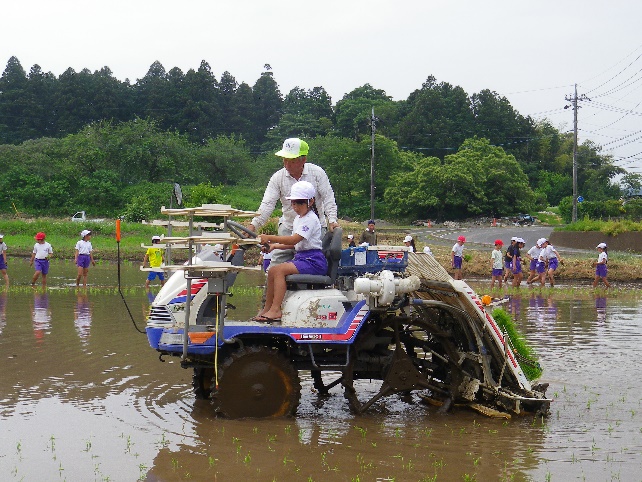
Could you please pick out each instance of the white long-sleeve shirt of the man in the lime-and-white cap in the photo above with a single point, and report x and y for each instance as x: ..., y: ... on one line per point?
x: 279, y: 186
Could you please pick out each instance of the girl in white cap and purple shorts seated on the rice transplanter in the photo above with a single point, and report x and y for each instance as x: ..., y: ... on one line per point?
x: 305, y: 240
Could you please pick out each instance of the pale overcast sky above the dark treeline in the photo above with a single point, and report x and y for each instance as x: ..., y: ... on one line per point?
x: 531, y: 52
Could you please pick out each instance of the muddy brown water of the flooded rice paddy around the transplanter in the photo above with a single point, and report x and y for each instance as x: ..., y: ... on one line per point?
x: 83, y: 397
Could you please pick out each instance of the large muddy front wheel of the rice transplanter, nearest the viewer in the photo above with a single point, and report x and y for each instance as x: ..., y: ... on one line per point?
x: 257, y: 382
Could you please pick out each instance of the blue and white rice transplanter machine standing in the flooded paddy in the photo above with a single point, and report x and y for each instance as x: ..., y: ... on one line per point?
x: 380, y: 314
